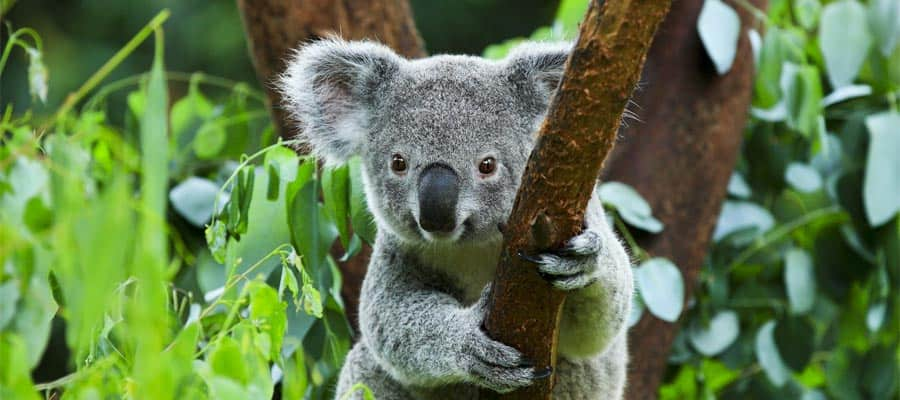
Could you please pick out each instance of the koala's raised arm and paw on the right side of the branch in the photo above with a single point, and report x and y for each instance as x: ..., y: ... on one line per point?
x: 595, y: 268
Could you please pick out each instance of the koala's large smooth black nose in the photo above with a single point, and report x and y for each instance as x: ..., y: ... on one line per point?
x: 438, y: 192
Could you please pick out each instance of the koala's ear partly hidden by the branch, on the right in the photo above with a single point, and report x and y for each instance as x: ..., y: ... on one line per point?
x: 538, y: 67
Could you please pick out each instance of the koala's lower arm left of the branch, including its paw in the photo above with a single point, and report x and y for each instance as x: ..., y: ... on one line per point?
x: 424, y: 337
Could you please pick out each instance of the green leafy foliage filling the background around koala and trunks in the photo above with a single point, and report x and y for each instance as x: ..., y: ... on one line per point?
x: 196, y: 264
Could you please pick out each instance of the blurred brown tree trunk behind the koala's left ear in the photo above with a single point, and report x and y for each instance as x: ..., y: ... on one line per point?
x: 275, y: 27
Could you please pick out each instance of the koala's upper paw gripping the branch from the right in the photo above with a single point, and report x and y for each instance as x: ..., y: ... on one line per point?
x: 572, y: 267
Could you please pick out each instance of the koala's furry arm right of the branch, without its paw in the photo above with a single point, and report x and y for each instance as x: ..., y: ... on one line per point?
x: 595, y: 315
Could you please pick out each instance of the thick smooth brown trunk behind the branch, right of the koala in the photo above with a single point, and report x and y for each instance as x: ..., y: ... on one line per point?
x: 680, y: 158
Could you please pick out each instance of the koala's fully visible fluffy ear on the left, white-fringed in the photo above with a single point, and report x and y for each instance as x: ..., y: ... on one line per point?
x: 330, y: 88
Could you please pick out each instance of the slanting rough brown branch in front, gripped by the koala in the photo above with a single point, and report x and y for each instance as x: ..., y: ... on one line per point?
x: 575, y: 138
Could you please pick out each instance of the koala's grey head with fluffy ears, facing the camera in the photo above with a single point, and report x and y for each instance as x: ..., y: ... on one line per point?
x: 443, y: 140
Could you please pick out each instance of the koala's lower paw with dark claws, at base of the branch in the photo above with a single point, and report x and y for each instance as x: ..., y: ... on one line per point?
x: 496, y: 366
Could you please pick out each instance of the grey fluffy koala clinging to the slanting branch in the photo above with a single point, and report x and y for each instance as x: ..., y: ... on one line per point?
x: 443, y: 143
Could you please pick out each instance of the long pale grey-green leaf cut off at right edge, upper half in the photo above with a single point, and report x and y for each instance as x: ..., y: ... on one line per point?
x: 882, y: 179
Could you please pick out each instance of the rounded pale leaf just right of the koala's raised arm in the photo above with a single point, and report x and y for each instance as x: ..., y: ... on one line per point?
x: 661, y: 288
